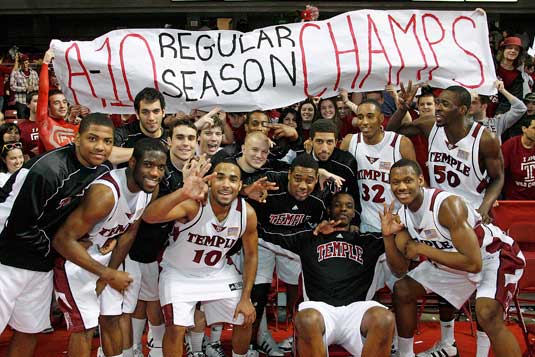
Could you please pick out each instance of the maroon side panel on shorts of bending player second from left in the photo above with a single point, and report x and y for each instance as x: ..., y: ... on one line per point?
x: 72, y: 314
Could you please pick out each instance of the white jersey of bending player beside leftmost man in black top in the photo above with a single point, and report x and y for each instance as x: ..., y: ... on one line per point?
x: 128, y: 208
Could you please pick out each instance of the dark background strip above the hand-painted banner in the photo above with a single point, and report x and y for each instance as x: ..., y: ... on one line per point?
x: 30, y: 24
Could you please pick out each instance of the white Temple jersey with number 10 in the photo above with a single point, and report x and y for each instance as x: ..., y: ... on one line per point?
x: 199, y: 247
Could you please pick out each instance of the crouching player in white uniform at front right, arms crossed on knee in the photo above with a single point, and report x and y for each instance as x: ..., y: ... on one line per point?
x: 463, y: 255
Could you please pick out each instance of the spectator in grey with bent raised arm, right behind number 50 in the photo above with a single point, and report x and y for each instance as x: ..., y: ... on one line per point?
x: 501, y: 122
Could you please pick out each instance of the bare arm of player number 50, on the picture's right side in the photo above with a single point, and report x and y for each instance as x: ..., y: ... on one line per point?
x: 490, y: 152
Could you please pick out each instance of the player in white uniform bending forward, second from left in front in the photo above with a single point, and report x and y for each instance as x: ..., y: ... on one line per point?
x: 106, y: 220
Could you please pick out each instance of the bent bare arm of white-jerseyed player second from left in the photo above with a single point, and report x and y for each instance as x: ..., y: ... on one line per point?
x: 94, y: 207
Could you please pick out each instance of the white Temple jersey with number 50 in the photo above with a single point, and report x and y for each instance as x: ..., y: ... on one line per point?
x: 455, y: 167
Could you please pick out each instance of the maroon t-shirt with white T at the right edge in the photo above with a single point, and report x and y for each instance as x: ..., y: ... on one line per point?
x: 519, y: 168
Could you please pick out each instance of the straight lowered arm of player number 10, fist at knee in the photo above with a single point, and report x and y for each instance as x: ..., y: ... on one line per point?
x: 250, y: 259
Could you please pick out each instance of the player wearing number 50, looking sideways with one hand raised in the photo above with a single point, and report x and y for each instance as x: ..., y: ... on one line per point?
x: 464, y: 158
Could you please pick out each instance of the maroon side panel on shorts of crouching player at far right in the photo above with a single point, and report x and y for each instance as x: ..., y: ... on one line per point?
x: 509, y: 263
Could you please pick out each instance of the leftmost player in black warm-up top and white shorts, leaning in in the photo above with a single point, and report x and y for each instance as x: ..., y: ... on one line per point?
x: 33, y: 203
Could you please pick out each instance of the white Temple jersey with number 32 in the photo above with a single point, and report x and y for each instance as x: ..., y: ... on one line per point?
x: 374, y: 163
